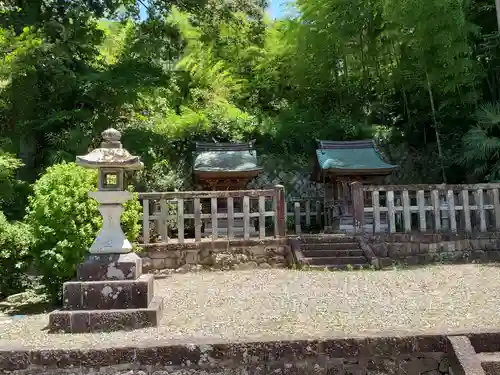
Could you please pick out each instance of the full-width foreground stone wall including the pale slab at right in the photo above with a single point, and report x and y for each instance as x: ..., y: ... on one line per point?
x: 411, y: 355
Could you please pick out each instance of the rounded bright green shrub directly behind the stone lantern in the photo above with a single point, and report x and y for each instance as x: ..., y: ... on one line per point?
x: 66, y: 221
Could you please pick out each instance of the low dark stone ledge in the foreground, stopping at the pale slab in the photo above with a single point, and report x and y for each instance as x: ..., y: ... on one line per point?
x: 209, y: 354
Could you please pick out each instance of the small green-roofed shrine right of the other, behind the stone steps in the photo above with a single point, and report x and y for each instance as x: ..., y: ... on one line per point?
x: 339, y: 163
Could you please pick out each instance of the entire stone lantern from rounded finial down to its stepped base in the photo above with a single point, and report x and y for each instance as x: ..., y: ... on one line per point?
x: 110, y: 293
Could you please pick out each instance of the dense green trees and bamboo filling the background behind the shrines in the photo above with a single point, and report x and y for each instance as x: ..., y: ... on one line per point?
x: 218, y: 69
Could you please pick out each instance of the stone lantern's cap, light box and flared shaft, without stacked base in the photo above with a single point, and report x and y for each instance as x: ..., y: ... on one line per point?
x: 112, y: 162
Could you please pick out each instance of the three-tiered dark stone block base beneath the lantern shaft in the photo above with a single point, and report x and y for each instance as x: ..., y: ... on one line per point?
x: 110, y: 294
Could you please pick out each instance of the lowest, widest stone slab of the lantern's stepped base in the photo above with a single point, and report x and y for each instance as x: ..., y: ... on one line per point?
x: 86, y: 321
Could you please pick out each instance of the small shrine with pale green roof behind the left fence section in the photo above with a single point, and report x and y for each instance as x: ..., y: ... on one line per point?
x: 224, y: 166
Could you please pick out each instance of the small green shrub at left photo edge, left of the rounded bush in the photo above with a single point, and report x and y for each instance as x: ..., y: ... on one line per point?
x: 15, y: 242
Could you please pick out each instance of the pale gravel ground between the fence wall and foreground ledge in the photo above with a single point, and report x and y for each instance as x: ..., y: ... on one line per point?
x: 248, y: 305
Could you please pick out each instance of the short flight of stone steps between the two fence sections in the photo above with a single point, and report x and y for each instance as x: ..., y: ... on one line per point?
x: 334, y: 252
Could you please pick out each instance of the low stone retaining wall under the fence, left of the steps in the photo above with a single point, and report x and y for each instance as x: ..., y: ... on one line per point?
x: 218, y: 255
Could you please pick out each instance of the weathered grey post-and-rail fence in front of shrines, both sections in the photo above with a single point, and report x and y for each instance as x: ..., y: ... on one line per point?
x: 437, y: 207
